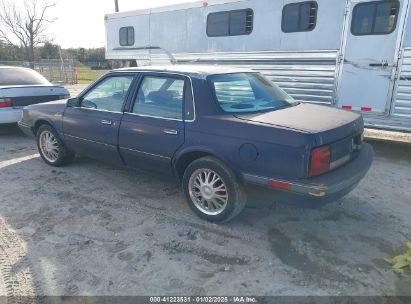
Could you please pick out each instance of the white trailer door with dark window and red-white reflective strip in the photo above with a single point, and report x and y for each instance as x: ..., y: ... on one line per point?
x: 372, y: 40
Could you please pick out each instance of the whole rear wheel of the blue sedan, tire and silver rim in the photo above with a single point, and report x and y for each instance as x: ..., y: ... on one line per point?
x: 212, y: 190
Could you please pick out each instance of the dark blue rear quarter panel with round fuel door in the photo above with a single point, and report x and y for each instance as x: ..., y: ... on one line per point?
x: 250, y: 148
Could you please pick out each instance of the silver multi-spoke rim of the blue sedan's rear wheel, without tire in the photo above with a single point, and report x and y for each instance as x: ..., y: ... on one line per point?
x: 208, y: 191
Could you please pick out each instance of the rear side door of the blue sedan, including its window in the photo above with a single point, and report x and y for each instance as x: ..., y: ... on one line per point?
x: 153, y: 127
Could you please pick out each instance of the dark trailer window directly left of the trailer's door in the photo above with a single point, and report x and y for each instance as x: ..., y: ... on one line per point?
x: 299, y: 17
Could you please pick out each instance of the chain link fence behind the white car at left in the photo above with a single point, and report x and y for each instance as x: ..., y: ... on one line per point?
x: 55, y: 70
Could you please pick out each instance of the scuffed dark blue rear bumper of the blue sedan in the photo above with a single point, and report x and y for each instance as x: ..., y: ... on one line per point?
x: 319, y: 190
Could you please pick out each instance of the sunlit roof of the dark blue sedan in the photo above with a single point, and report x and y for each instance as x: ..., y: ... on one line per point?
x: 196, y: 71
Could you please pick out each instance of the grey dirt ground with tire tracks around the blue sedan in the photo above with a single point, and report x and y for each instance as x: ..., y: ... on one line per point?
x: 93, y: 229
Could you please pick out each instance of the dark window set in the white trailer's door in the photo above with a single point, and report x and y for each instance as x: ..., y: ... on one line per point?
x: 375, y: 18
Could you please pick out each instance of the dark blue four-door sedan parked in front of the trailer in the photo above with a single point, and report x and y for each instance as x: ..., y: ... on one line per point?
x: 220, y: 131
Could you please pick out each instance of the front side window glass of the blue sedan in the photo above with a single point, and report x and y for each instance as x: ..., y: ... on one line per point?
x: 109, y: 95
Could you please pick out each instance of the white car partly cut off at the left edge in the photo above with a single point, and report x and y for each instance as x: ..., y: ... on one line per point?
x: 20, y: 87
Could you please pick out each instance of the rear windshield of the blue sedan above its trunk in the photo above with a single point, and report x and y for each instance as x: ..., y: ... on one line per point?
x: 248, y: 92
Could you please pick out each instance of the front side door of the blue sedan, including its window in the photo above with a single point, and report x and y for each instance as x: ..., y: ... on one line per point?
x: 91, y: 127
